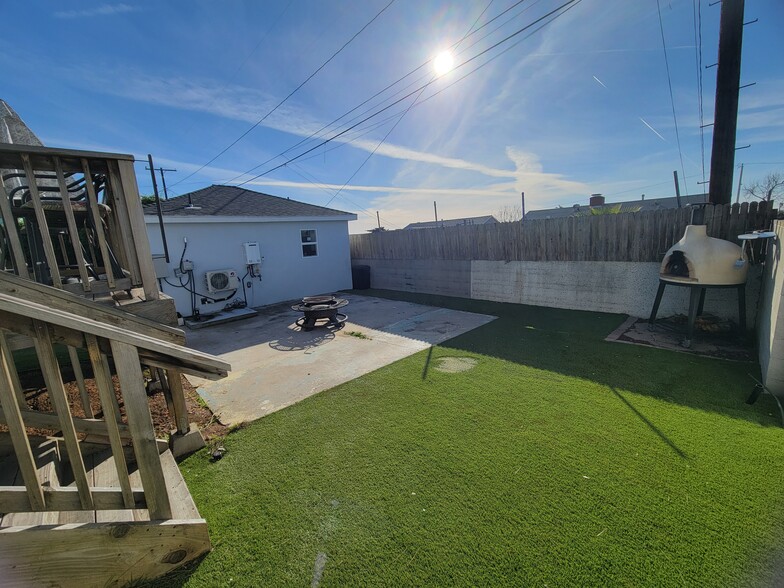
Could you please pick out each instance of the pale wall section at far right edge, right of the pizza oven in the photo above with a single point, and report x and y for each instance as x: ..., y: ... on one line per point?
x: 771, y: 316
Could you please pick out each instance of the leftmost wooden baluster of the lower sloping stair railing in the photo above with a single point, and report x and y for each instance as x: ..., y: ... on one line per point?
x: 9, y: 393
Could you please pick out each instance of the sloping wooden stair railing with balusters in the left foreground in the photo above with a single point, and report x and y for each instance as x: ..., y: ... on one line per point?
x: 129, y: 351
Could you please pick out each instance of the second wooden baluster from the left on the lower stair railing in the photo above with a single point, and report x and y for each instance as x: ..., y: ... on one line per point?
x: 54, y: 384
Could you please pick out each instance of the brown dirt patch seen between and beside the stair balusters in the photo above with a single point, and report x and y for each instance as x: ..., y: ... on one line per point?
x: 38, y: 399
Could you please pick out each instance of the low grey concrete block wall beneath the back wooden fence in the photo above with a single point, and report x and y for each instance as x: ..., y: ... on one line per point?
x: 601, y: 286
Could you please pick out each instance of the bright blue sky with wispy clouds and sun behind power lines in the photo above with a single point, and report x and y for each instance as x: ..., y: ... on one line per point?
x: 578, y: 107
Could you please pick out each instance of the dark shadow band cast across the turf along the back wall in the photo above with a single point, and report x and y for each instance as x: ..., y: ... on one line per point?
x: 571, y: 343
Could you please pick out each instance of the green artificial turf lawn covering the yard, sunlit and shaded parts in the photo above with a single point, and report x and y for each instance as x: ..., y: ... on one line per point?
x: 559, y: 460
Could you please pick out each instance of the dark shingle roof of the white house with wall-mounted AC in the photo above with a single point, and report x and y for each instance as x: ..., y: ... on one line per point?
x: 232, y: 201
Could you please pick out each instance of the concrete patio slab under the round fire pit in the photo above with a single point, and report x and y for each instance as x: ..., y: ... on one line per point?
x: 275, y: 364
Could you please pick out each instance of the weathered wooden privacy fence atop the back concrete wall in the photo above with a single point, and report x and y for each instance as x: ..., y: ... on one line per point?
x: 641, y: 236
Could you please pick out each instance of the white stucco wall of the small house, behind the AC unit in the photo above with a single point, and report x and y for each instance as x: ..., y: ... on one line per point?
x: 285, y: 273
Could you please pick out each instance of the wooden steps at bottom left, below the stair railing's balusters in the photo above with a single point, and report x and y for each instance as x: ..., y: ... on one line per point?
x: 100, y: 547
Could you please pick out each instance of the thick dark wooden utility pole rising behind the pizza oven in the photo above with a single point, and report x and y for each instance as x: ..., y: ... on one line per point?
x: 726, y: 110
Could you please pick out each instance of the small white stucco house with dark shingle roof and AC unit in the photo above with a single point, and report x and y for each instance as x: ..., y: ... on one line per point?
x: 228, y: 244
